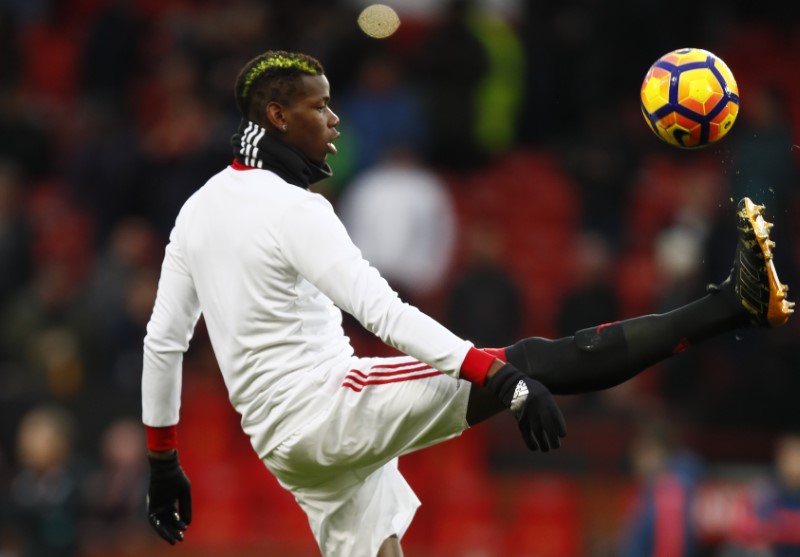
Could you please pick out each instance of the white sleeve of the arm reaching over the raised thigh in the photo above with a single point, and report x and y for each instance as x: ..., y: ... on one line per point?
x: 316, y: 243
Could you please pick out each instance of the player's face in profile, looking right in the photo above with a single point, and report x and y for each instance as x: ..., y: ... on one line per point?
x: 310, y: 123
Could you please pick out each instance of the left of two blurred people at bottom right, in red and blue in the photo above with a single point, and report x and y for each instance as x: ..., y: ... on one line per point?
x: 660, y: 523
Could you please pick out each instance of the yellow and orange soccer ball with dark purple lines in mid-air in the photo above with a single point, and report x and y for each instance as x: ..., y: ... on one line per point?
x: 689, y: 98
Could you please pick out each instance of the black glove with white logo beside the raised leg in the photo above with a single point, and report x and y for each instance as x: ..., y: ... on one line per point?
x: 538, y: 416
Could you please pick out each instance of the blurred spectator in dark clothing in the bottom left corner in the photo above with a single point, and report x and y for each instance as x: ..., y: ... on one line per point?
x: 45, y: 494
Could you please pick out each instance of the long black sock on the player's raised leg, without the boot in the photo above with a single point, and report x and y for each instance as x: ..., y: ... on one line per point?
x: 607, y: 355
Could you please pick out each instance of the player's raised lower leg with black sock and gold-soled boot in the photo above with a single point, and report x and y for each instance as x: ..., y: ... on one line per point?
x: 607, y: 355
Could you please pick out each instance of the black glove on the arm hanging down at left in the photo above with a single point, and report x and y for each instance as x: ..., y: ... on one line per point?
x: 169, y: 486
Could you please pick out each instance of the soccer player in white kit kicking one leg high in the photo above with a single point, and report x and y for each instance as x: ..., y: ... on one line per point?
x: 270, y: 266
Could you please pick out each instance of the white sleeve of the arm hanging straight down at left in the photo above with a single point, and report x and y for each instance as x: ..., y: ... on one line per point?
x: 169, y: 331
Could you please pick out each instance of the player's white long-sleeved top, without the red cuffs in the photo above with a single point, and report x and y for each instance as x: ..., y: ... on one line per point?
x: 267, y: 263
